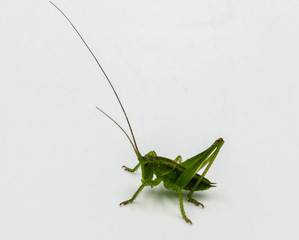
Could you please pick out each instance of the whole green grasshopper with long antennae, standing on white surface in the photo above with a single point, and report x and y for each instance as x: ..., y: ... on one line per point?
x: 175, y: 174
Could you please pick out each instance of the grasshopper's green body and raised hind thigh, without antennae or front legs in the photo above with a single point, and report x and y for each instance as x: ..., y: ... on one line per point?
x: 180, y: 176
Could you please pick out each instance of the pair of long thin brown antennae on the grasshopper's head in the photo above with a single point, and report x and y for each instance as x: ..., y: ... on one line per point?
x: 135, y: 144
